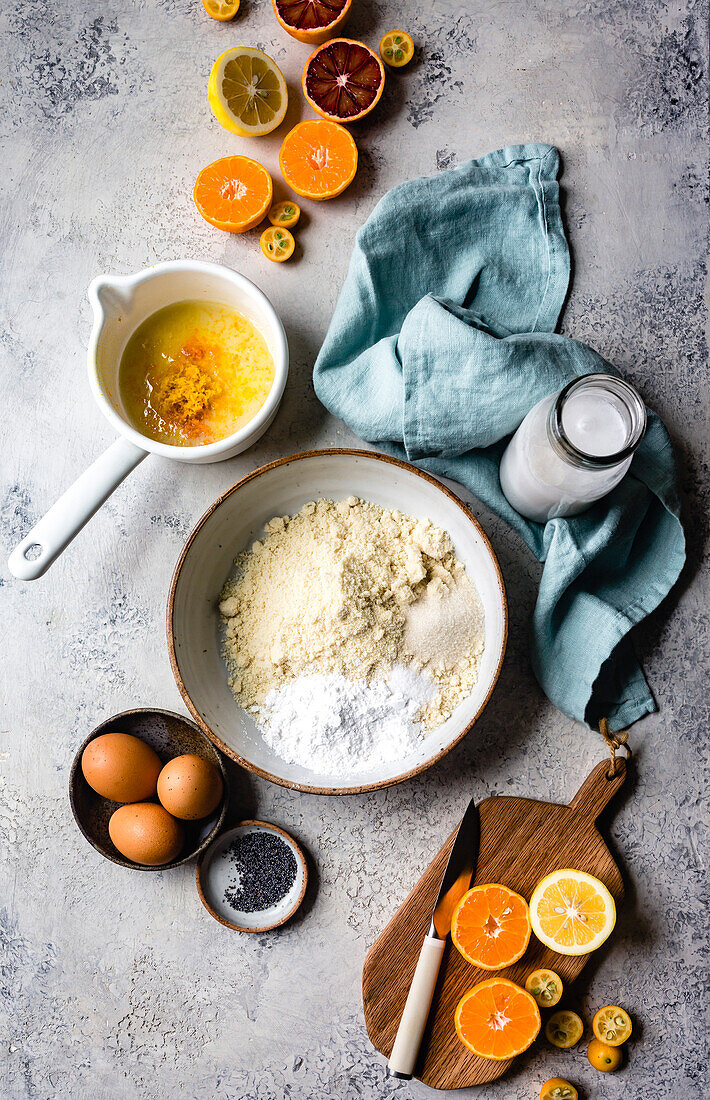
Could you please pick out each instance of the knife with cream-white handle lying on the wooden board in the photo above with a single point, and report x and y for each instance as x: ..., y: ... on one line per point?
x: 457, y: 879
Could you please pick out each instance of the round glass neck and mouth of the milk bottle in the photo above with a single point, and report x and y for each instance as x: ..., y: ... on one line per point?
x: 611, y: 398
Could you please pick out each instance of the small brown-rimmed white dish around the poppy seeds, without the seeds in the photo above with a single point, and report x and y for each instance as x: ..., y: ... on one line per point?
x: 216, y: 874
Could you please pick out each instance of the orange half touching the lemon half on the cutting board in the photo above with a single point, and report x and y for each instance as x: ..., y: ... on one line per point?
x: 491, y: 927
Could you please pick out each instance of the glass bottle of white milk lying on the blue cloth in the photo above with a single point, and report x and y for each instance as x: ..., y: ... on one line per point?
x: 573, y: 447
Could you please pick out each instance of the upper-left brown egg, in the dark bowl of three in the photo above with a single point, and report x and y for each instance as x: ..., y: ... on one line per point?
x: 122, y: 767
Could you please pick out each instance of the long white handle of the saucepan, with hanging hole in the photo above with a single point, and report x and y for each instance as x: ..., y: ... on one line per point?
x: 65, y: 520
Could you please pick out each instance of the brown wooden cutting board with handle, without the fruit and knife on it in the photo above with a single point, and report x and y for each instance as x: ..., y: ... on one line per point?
x: 521, y: 842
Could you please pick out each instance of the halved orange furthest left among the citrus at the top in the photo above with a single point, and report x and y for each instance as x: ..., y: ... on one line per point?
x: 234, y: 194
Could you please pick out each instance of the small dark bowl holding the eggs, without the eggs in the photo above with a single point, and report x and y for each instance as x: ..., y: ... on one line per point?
x: 171, y: 735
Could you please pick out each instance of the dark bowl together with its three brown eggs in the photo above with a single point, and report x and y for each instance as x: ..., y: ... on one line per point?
x: 149, y: 790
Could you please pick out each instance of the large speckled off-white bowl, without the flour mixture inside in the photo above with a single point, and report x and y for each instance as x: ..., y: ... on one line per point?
x: 235, y: 521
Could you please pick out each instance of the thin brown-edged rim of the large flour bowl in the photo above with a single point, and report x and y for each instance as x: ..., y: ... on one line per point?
x: 222, y: 746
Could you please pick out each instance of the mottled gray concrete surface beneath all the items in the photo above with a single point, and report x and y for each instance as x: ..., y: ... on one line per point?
x: 119, y: 985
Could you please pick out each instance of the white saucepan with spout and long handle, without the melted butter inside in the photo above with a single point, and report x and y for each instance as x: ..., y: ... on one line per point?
x: 121, y: 304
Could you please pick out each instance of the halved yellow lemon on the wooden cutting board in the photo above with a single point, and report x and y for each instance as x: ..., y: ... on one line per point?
x: 573, y: 912
